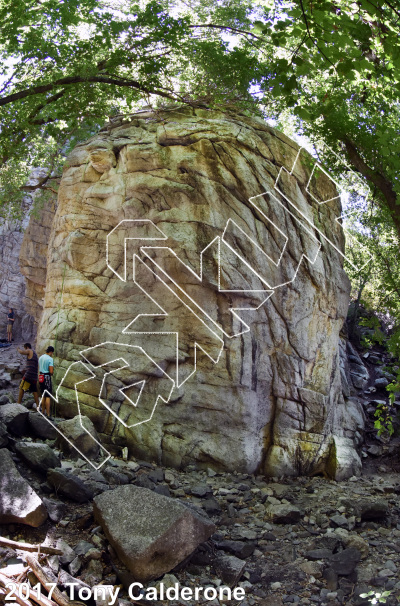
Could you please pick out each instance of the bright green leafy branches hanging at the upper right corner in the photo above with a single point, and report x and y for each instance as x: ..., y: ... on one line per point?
x: 339, y: 72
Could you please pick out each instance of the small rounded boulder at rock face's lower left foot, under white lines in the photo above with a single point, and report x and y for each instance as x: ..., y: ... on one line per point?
x: 81, y: 433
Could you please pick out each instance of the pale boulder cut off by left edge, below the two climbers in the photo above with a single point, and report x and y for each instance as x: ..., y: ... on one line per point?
x: 19, y: 503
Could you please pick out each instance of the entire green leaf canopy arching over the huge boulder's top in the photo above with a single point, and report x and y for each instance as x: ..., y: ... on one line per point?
x: 334, y: 64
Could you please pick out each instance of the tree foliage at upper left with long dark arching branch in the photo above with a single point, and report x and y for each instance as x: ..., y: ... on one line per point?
x: 66, y: 66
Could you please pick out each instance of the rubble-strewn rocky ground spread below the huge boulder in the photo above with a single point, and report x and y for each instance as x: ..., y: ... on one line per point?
x: 302, y: 541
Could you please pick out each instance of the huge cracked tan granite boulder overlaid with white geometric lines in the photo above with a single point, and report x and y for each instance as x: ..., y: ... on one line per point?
x: 250, y: 390
